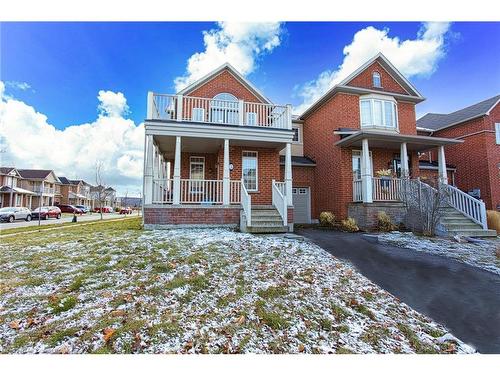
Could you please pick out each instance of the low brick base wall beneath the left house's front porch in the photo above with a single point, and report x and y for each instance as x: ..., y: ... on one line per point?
x: 191, y: 215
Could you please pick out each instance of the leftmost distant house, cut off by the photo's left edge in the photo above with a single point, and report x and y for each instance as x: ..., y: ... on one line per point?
x: 12, y: 194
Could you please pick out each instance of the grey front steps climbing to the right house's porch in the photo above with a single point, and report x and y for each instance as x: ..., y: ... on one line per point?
x: 455, y: 223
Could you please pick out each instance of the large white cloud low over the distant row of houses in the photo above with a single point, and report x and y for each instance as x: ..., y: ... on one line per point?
x: 30, y: 141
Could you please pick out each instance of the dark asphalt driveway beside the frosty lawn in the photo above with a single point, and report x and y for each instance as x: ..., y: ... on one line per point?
x: 463, y: 298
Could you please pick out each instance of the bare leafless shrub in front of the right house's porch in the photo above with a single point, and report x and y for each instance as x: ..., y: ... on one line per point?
x: 424, y: 204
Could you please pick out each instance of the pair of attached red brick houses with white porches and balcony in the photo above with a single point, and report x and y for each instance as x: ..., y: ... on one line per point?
x: 219, y: 152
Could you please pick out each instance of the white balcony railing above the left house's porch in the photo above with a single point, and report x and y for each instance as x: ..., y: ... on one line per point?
x: 214, y: 111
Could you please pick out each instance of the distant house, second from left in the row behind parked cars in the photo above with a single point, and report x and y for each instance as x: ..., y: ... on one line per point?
x: 43, y: 183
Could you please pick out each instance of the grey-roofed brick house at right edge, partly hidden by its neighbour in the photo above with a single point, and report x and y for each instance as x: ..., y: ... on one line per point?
x: 477, y: 159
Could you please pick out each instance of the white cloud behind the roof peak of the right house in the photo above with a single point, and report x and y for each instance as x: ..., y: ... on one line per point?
x: 412, y: 57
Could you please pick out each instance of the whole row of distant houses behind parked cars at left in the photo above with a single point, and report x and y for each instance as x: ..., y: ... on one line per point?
x: 42, y: 187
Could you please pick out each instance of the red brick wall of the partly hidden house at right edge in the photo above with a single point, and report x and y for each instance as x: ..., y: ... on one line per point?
x: 478, y: 158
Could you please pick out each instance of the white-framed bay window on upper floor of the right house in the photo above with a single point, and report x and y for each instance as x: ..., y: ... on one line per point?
x: 378, y: 113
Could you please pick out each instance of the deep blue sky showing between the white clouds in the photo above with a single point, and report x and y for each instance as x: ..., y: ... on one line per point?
x: 66, y: 64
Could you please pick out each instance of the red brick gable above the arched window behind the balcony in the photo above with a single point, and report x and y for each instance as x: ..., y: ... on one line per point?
x: 224, y: 82
